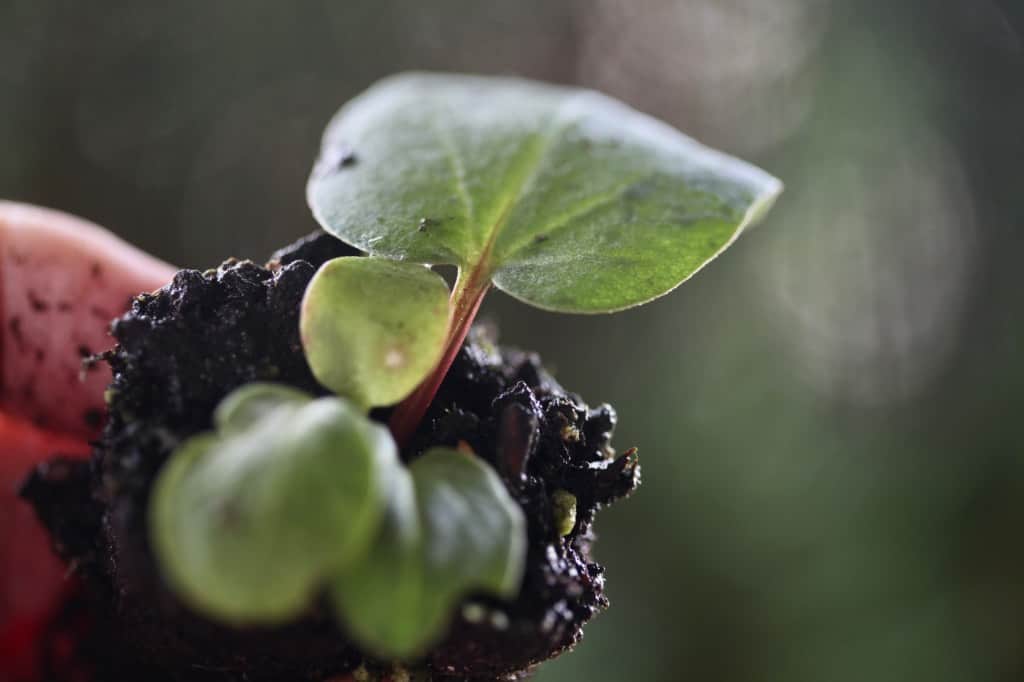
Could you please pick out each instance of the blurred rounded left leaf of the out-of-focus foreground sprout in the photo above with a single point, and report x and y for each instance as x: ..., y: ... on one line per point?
x: 249, y: 523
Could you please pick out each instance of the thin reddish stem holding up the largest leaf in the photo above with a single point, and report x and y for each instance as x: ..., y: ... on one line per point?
x: 466, y: 299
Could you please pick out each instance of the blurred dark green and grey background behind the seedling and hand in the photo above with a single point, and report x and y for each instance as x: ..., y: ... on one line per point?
x: 828, y: 416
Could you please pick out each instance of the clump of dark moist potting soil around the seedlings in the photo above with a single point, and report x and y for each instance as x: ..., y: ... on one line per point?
x: 183, y: 350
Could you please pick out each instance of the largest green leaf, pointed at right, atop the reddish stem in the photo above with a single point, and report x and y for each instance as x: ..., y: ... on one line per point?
x: 568, y: 199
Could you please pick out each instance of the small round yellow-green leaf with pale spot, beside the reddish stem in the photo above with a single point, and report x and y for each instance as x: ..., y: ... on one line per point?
x: 372, y: 329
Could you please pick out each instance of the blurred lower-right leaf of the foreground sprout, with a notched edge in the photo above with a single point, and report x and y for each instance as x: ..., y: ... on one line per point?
x: 451, y: 529
